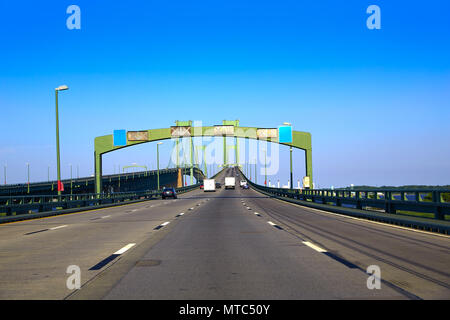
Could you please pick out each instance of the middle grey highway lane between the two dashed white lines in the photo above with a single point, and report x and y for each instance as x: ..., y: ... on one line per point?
x: 226, y: 251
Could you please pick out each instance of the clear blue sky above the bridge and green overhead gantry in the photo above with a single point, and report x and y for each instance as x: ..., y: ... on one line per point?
x: 375, y: 101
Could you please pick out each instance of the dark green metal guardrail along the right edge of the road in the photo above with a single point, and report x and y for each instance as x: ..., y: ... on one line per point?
x: 365, y: 203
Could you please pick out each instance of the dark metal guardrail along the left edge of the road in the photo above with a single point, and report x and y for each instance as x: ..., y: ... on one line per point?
x: 23, y: 205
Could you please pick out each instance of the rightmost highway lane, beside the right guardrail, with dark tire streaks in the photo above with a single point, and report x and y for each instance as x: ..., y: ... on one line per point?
x: 411, y: 260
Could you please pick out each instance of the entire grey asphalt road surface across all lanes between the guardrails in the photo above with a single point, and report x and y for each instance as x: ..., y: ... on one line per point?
x: 228, y: 244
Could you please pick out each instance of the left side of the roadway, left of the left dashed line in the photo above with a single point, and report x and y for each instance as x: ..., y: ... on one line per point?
x: 35, y: 254
